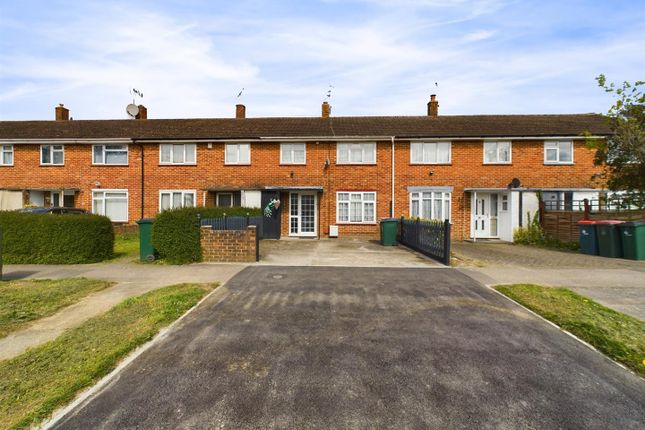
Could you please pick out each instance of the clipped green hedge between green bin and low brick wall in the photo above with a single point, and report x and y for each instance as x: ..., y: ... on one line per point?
x: 175, y: 233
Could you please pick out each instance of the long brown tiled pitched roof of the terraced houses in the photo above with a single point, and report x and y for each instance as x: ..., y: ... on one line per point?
x: 251, y: 128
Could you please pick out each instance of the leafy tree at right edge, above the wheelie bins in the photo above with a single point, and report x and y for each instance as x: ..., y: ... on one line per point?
x: 622, y: 155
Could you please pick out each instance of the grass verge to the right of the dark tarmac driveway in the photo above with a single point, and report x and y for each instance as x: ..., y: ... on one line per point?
x: 619, y: 336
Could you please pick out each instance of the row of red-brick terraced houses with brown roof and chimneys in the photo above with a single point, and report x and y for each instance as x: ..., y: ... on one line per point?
x: 330, y: 175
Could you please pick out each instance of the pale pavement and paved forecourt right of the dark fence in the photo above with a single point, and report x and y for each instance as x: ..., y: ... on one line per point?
x: 615, y: 283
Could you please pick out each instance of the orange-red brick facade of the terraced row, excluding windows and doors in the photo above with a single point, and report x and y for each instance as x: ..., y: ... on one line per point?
x: 466, y: 170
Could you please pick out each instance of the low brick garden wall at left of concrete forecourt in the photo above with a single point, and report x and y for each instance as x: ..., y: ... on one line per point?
x: 238, y: 246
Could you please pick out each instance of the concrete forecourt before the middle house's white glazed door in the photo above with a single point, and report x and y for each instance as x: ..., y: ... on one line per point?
x: 339, y: 252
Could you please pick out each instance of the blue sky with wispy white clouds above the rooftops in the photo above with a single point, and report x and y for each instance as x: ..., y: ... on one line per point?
x: 382, y: 57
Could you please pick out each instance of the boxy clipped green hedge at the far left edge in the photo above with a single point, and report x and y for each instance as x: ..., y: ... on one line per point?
x: 55, y: 239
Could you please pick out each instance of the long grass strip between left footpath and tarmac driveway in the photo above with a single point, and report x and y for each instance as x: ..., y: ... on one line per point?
x: 36, y: 383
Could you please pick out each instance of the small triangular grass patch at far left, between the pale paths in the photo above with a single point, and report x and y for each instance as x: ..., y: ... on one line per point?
x: 22, y: 302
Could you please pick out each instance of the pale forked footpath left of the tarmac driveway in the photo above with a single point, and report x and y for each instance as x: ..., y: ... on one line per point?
x: 132, y: 280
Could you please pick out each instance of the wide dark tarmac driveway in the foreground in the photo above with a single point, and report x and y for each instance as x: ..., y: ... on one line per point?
x: 299, y: 347
